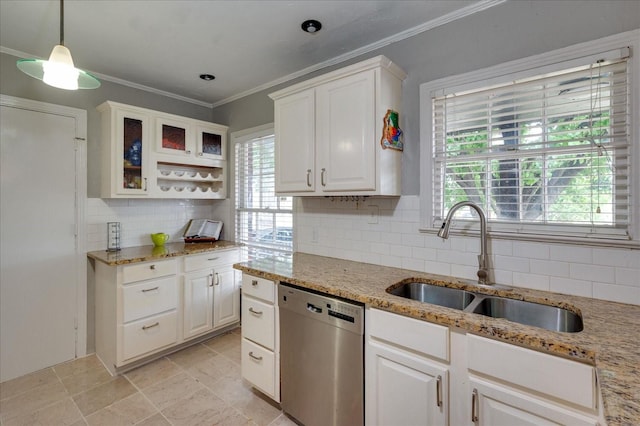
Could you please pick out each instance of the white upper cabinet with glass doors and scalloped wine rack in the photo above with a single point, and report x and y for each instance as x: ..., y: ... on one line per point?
x: 157, y: 155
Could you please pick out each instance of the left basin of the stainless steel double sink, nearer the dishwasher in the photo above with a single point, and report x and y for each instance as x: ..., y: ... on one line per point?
x: 436, y: 295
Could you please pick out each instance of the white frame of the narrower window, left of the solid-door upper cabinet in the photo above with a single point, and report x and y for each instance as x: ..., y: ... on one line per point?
x: 242, y: 136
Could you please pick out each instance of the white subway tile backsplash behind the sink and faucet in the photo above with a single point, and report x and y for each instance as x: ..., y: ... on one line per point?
x: 385, y: 231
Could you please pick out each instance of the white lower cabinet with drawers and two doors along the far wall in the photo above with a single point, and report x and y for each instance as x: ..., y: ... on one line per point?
x: 145, y: 309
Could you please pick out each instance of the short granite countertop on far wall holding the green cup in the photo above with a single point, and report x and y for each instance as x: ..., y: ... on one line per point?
x: 146, y: 253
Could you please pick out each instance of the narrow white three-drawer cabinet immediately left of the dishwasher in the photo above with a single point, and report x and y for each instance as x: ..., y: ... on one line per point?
x: 260, y: 335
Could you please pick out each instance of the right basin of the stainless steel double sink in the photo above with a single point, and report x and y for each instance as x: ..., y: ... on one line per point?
x: 529, y: 313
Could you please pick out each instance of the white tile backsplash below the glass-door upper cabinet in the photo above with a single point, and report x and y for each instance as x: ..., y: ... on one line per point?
x: 141, y: 217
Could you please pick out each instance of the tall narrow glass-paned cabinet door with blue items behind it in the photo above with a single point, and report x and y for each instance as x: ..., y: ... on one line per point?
x: 132, y: 153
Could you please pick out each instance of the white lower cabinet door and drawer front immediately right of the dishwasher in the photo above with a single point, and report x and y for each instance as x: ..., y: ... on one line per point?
x: 406, y: 382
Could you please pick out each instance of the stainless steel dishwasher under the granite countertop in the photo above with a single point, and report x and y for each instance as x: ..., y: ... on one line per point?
x: 321, y: 358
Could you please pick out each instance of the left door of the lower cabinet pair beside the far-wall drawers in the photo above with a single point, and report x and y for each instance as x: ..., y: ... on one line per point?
x: 198, y: 303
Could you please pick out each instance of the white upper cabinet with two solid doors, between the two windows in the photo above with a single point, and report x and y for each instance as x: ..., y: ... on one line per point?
x: 329, y: 131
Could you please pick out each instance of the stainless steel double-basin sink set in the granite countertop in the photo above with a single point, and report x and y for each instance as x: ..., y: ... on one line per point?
x: 528, y: 313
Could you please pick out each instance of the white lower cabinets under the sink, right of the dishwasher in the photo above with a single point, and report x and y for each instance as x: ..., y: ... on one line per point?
x: 422, y: 373
